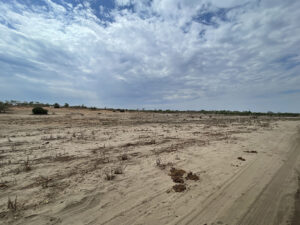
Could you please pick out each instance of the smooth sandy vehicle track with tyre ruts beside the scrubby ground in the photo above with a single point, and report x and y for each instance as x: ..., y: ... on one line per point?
x: 258, y: 195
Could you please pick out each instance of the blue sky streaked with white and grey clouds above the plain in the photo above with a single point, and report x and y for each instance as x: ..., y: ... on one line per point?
x: 153, y: 54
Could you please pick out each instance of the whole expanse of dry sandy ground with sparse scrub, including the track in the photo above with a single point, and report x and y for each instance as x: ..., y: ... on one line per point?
x: 77, y: 166
